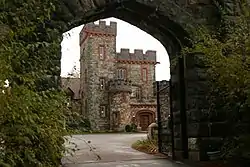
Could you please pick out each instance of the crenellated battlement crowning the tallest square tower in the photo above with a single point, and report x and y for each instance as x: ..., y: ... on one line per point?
x: 102, y: 27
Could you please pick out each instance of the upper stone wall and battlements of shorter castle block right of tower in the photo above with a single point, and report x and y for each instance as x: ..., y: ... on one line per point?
x: 133, y: 63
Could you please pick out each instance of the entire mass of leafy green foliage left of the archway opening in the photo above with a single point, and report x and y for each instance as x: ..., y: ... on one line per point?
x: 32, y: 108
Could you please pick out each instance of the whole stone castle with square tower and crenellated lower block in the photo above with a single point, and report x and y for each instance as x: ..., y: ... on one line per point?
x: 116, y: 88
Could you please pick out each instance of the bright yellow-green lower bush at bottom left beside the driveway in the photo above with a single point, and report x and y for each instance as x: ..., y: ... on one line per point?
x: 31, y: 128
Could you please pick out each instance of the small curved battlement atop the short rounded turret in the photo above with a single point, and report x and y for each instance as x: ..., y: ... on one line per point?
x: 119, y: 85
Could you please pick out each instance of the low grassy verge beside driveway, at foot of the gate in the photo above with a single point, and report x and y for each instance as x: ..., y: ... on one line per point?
x: 147, y: 146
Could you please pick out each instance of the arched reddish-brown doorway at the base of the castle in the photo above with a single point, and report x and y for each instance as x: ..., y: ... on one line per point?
x: 144, y: 118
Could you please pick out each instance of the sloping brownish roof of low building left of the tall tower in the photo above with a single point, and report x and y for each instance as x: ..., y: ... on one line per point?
x: 72, y: 84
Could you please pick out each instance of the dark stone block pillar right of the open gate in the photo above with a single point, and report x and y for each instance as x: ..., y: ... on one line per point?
x: 202, y: 133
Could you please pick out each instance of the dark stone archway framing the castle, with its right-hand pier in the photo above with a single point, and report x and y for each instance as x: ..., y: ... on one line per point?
x: 168, y: 21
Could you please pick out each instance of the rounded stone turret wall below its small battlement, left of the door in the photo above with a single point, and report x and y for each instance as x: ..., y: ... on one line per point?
x: 120, y: 111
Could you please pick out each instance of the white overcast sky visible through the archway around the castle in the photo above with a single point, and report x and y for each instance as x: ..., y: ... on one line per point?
x: 128, y: 36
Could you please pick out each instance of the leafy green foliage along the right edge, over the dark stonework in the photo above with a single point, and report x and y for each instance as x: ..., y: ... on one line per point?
x: 227, y: 56
